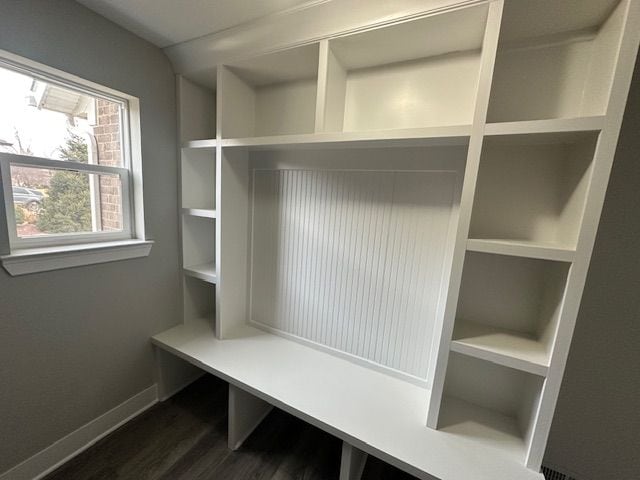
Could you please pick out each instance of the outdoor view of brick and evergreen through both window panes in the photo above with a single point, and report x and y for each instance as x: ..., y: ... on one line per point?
x: 45, y: 120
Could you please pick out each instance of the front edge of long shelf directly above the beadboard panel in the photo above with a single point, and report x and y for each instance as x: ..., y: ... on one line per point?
x: 448, y: 135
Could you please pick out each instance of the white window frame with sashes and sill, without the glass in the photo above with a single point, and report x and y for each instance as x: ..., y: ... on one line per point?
x: 22, y: 256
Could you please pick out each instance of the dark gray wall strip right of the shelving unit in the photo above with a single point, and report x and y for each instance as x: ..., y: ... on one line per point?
x: 596, y: 427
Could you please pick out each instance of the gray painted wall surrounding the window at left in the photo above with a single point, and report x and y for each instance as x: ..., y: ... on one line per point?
x: 75, y: 343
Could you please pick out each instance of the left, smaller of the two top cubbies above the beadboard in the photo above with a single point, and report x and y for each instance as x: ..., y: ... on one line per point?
x: 273, y: 94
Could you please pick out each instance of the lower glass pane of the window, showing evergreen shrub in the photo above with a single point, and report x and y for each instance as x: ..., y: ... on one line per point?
x: 51, y: 201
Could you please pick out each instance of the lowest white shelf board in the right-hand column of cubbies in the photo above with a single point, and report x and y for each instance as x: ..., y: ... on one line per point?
x: 500, y: 346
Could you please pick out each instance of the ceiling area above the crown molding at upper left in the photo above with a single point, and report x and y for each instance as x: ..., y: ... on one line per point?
x: 167, y: 22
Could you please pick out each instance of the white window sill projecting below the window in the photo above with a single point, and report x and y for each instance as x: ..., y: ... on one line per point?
x: 22, y: 262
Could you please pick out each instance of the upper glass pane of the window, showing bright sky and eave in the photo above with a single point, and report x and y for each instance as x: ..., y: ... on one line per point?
x: 46, y: 120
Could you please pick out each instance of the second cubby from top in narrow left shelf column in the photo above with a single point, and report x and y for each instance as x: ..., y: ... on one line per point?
x: 198, y: 179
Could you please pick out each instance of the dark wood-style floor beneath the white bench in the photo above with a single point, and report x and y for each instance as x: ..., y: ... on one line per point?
x: 185, y: 438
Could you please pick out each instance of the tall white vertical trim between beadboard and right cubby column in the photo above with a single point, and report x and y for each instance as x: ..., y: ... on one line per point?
x: 444, y: 331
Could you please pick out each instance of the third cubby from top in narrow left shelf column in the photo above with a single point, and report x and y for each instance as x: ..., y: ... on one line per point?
x: 198, y: 247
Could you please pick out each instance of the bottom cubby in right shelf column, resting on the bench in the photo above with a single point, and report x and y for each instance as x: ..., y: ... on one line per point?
x: 493, y: 404
